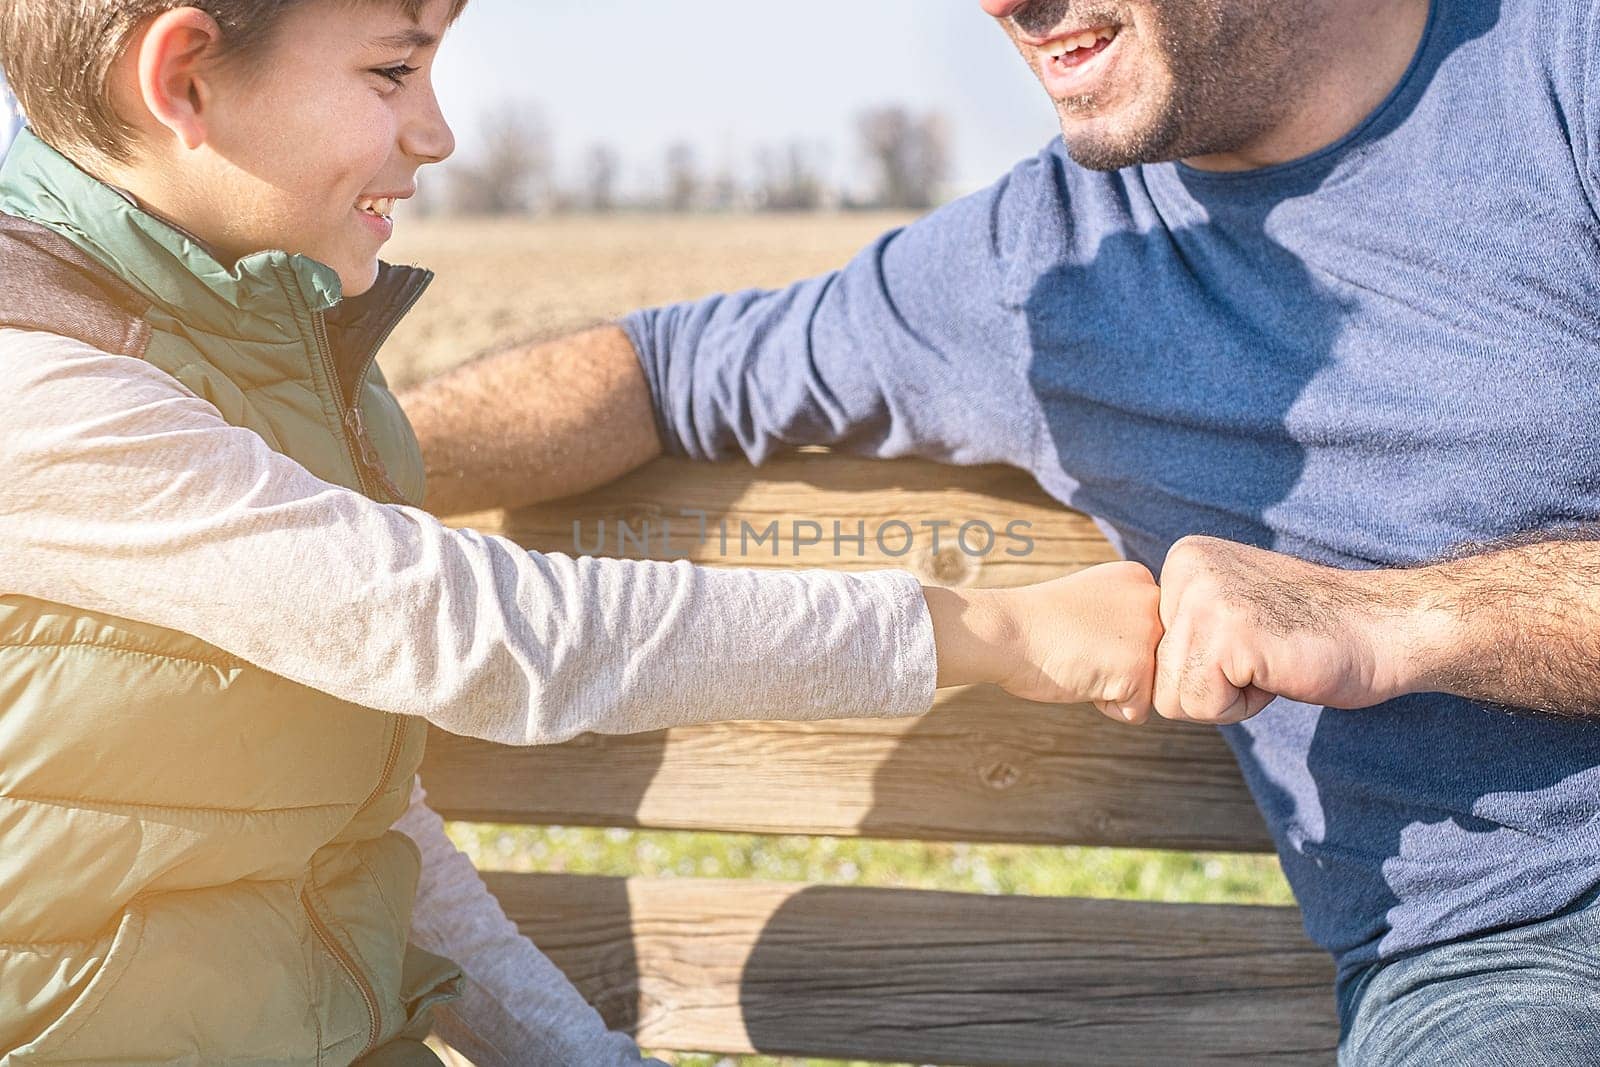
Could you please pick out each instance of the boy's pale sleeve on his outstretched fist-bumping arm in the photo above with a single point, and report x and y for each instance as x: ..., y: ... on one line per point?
x: 129, y: 495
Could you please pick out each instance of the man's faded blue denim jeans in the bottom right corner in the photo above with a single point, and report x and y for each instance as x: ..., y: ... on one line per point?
x: 1521, y: 997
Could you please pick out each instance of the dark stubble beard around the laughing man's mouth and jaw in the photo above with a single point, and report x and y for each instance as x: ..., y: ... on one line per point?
x: 1231, y: 78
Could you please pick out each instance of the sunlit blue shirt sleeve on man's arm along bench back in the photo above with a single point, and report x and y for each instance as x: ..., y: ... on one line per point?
x: 913, y: 350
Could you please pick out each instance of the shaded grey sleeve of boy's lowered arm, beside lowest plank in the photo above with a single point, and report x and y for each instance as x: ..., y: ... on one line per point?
x: 516, y: 1005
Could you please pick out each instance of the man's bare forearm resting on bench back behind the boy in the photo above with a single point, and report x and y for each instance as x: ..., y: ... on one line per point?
x: 534, y: 423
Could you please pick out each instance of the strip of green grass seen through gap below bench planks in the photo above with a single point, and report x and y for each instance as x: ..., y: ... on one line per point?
x: 1004, y: 869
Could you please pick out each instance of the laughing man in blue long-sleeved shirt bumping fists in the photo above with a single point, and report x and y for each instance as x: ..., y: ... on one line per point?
x: 1305, y: 310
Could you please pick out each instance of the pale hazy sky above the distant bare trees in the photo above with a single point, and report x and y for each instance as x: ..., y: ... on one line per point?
x: 730, y: 76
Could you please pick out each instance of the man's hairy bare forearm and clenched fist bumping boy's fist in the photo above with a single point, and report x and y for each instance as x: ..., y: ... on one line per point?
x: 1513, y: 623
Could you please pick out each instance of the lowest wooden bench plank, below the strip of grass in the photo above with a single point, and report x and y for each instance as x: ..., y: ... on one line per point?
x: 934, y: 978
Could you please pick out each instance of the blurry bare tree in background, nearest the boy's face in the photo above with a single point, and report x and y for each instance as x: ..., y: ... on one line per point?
x: 513, y: 172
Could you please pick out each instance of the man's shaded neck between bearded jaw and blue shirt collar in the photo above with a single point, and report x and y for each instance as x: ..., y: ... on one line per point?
x: 1366, y: 50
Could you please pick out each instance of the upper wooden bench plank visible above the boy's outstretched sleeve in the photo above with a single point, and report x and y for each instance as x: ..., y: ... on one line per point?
x: 865, y: 497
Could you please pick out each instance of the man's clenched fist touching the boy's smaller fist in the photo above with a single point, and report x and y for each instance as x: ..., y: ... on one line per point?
x: 1246, y: 626
